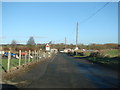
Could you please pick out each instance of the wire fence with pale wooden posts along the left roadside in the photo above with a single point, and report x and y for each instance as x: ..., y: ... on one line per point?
x: 11, y: 61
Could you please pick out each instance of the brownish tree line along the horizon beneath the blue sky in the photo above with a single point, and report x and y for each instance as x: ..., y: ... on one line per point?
x: 31, y: 45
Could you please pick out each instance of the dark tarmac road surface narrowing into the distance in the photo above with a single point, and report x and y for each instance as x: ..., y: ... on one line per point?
x: 63, y: 71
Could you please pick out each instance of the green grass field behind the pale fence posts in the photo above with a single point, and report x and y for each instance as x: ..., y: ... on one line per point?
x: 25, y: 59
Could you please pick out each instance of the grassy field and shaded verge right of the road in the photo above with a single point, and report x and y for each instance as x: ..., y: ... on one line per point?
x: 107, y: 57
